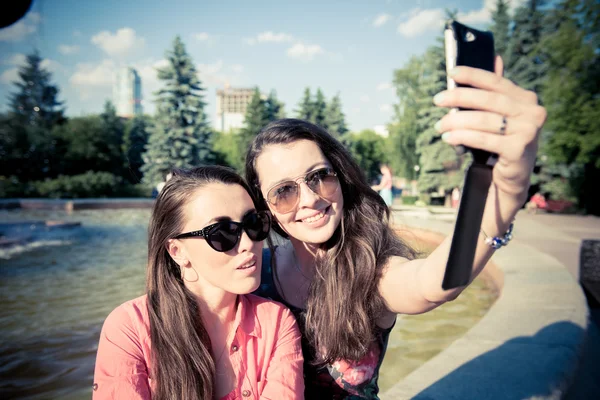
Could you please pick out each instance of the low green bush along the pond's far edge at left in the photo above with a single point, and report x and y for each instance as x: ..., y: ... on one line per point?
x: 89, y: 184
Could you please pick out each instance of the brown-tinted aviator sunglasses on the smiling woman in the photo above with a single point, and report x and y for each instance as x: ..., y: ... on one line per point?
x: 284, y: 196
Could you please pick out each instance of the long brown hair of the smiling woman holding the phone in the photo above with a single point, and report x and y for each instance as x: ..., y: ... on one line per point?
x: 344, y: 300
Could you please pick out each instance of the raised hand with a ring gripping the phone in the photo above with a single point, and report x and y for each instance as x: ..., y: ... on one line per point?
x: 495, y: 102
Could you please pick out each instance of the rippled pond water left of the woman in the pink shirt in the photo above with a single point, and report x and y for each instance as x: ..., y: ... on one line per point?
x: 55, y: 299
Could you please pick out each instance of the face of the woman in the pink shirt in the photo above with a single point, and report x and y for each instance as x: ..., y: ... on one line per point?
x: 235, y: 271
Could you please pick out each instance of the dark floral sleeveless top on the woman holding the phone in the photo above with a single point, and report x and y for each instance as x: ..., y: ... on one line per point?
x: 343, y: 379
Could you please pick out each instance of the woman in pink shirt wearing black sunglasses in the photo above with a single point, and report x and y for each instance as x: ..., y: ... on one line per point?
x: 197, y: 333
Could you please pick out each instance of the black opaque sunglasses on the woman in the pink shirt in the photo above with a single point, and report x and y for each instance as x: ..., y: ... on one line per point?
x: 225, y: 235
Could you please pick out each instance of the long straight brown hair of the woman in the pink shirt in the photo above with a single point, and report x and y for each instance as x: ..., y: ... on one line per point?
x: 182, y: 364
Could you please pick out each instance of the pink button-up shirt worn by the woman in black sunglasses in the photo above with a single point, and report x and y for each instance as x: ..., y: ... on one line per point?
x: 265, y: 353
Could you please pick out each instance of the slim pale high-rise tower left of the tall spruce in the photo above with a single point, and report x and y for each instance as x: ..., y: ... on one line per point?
x: 127, y: 92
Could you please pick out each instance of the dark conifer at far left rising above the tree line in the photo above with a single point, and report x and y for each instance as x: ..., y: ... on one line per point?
x: 36, y: 100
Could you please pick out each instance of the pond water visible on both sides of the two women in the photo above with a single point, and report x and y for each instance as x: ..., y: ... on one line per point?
x: 56, y: 293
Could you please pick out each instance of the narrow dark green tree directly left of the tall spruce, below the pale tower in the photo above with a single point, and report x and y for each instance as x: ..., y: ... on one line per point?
x: 134, y: 142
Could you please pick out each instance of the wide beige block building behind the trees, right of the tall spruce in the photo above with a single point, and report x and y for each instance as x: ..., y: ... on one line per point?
x: 231, y: 107
